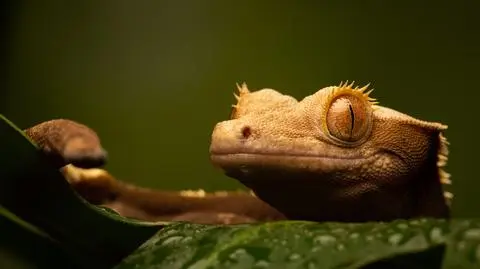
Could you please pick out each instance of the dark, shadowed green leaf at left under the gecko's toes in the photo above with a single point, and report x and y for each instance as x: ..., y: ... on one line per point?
x: 37, y: 193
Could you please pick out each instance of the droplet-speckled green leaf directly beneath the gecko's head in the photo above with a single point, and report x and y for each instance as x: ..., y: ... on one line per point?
x: 293, y: 244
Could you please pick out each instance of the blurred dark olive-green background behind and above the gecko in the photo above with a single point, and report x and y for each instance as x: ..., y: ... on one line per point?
x: 153, y: 77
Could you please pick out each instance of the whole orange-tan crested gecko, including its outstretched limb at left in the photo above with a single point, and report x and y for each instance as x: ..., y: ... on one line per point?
x: 335, y: 155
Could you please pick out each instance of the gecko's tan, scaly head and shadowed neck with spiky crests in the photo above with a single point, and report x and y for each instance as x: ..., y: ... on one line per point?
x: 334, y: 156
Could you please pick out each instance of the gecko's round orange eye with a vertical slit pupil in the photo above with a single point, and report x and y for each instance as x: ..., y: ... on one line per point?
x: 347, y: 118
